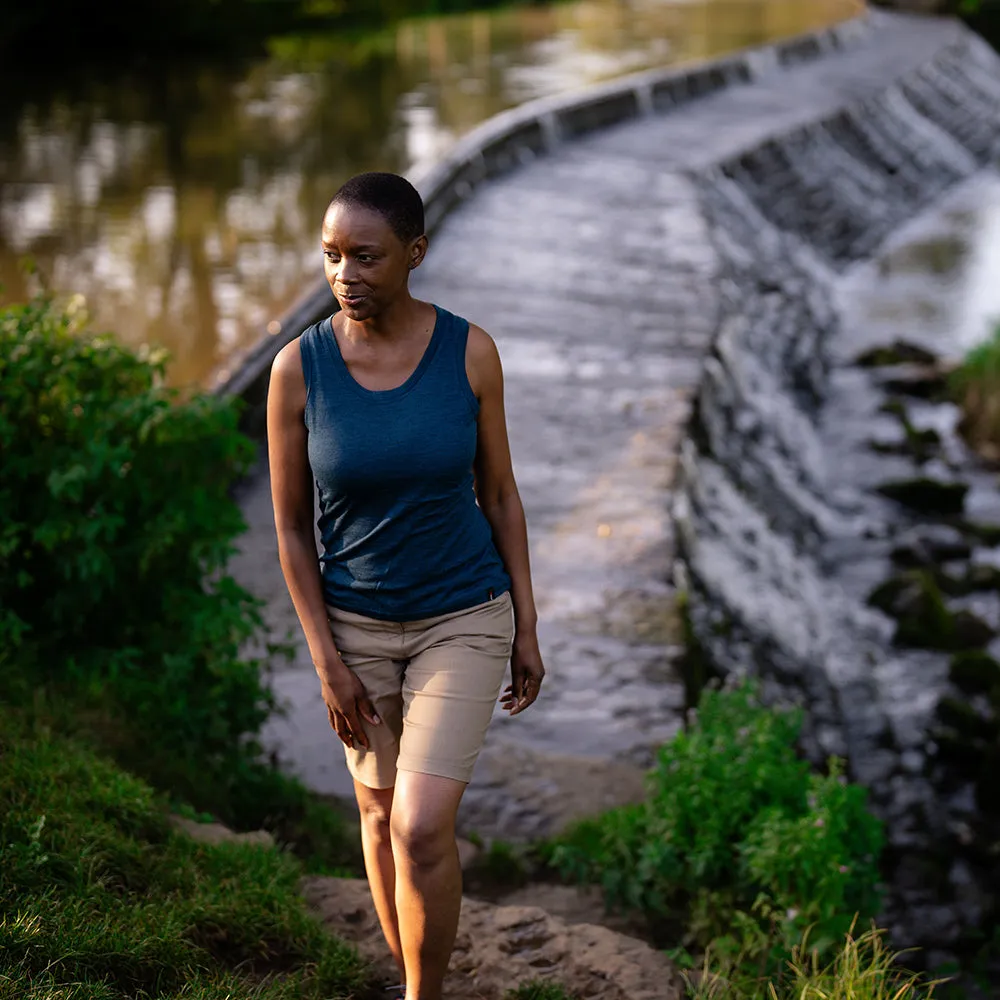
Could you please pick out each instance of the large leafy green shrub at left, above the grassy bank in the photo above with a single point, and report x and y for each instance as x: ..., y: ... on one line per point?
x: 115, y: 526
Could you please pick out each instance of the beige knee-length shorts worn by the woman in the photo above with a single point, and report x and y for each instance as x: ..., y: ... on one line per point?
x: 434, y: 684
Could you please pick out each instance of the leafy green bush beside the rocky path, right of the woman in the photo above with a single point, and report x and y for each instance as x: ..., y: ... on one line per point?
x: 737, y: 839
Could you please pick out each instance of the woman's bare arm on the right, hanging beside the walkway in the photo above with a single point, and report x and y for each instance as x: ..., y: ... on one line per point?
x: 500, y: 502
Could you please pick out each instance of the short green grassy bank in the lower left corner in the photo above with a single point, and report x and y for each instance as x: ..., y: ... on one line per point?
x: 101, y: 899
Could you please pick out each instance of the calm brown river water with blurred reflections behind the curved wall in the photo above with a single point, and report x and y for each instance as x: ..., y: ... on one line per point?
x: 185, y: 204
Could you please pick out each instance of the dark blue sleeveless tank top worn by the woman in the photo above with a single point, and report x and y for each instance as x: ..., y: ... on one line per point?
x: 403, y: 537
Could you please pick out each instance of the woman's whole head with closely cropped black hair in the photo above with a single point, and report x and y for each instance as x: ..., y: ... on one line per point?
x: 373, y: 236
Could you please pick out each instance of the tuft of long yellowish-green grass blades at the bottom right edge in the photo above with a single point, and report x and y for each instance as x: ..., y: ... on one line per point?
x: 861, y: 969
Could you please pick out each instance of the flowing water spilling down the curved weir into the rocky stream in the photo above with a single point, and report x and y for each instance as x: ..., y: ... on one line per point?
x: 783, y: 525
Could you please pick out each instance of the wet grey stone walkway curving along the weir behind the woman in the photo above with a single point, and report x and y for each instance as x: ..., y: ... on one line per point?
x: 595, y: 272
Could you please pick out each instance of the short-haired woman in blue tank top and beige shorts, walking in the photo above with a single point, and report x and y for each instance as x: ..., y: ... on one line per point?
x: 394, y: 408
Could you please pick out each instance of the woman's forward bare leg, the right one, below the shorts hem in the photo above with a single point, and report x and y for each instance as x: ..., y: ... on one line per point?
x: 428, y: 877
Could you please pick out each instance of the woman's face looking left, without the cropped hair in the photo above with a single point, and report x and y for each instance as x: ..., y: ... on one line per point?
x: 366, y: 263
